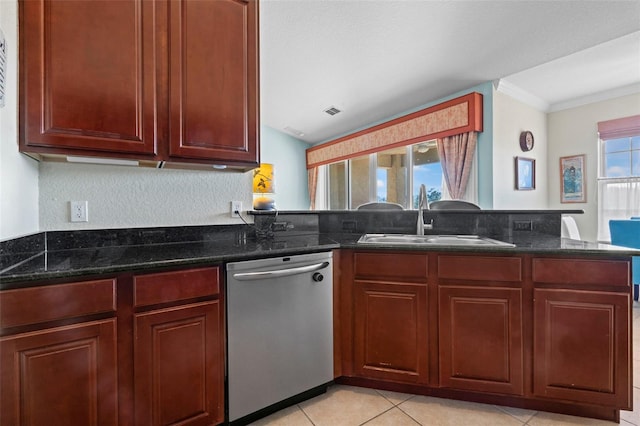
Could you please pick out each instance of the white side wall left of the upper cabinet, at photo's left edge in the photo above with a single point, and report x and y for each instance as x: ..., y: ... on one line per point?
x: 18, y: 174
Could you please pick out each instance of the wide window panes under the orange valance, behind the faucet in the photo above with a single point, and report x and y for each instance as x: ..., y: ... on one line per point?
x: 393, y: 176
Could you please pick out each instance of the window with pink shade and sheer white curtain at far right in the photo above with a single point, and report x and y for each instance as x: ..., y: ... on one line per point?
x: 619, y: 172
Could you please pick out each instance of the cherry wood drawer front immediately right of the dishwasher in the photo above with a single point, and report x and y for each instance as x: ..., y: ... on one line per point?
x: 394, y: 265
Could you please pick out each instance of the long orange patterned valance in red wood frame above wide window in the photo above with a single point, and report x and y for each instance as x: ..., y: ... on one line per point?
x: 453, y: 117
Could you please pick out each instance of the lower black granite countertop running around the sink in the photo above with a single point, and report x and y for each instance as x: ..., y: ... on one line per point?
x: 55, y: 265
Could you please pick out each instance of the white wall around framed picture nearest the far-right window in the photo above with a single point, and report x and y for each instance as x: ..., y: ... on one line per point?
x: 572, y: 132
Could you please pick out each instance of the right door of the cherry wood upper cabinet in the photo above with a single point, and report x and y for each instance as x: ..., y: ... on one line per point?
x: 214, y: 80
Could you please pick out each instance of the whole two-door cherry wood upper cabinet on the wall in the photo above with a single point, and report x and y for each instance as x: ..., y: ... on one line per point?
x: 149, y: 80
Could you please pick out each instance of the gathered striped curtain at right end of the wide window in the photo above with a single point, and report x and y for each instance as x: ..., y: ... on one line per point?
x: 456, y: 157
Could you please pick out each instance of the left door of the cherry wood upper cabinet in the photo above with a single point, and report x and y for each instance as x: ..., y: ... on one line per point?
x: 87, y: 77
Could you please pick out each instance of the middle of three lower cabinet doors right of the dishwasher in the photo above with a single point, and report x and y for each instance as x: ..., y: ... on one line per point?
x: 480, y: 341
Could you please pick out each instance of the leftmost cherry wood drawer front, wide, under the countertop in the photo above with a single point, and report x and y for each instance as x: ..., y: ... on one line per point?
x: 49, y: 303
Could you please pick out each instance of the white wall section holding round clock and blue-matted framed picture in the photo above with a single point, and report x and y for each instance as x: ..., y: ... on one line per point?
x: 510, y: 118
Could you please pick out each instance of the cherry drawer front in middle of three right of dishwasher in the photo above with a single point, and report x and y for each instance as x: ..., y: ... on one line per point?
x: 480, y: 268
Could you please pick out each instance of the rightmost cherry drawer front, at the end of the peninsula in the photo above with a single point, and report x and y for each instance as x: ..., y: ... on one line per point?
x: 581, y: 271
